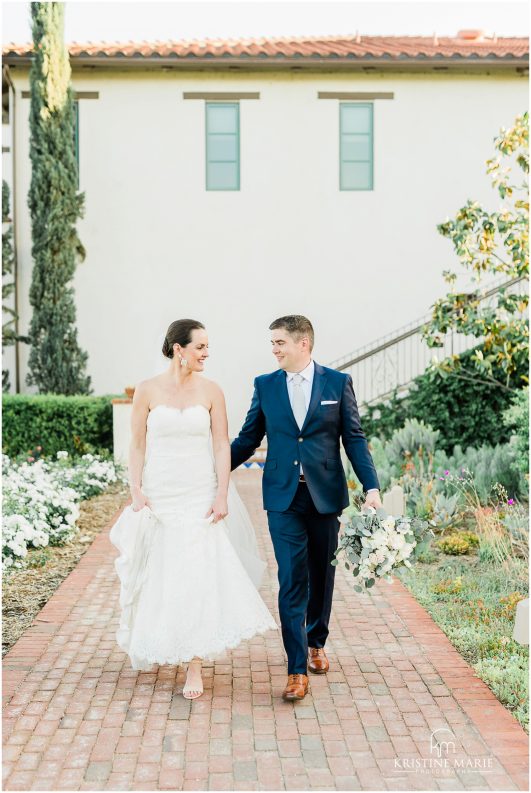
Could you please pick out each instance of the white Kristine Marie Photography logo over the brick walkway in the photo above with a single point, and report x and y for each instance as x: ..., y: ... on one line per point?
x: 443, y: 757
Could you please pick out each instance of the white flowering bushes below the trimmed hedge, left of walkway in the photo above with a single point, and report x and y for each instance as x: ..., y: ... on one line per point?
x: 41, y: 500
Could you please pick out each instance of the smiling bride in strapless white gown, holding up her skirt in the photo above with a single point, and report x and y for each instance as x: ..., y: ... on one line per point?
x: 189, y: 571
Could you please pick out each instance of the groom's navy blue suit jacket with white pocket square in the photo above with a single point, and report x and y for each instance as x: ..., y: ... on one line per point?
x: 315, y: 445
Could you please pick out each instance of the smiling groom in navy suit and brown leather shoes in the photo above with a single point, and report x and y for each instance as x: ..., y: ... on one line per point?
x: 305, y: 409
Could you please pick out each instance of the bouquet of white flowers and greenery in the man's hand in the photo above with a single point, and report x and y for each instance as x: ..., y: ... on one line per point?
x: 374, y: 543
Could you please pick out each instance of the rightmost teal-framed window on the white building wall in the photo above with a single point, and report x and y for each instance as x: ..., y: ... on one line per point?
x: 356, y: 146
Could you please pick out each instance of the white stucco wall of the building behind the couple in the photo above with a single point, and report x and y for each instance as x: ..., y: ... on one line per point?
x: 160, y: 247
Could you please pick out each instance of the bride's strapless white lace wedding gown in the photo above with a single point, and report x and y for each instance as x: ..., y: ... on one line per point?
x: 186, y: 588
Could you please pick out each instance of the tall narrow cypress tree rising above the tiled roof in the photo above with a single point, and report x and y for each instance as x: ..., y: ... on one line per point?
x: 56, y: 362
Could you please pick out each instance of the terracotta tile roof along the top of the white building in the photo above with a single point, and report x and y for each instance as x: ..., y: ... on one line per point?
x: 352, y: 46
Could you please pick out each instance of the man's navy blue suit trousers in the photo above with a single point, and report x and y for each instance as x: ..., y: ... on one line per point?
x: 304, y: 541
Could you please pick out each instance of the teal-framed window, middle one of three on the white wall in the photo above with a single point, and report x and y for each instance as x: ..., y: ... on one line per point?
x: 222, y: 146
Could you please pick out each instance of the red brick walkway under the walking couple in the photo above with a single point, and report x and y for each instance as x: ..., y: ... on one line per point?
x: 76, y: 716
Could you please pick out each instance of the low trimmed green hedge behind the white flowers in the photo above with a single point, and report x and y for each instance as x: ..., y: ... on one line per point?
x: 76, y: 424
